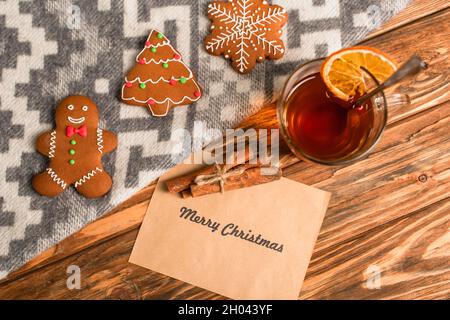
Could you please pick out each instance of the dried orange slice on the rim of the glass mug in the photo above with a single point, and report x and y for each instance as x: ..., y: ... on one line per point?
x: 343, y: 75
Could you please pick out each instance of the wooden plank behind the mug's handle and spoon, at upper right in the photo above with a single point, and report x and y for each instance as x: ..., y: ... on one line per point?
x: 430, y: 38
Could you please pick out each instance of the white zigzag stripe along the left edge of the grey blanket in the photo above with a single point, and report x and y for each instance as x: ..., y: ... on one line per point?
x: 40, y: 47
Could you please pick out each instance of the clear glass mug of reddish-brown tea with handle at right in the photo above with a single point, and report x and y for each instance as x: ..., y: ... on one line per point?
x: 319, y: 130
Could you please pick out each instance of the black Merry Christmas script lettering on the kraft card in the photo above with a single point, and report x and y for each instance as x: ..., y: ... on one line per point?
x: 229, y: 229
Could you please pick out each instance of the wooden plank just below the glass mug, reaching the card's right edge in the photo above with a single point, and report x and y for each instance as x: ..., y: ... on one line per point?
x: 387, y: 185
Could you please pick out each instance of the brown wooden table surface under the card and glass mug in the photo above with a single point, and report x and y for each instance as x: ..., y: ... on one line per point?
x: 391, y: 211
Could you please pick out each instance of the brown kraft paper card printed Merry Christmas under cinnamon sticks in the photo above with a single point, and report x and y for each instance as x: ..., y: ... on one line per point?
x: 252, y: 243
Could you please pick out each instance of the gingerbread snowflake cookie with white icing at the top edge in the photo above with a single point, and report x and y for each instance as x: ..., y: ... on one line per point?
x: 246, y: 31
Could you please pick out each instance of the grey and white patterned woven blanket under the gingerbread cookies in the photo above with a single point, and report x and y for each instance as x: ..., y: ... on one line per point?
x: 53, y: 48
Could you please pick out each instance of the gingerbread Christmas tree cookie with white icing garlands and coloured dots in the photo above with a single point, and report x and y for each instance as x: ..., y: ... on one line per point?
x: 160, y: 80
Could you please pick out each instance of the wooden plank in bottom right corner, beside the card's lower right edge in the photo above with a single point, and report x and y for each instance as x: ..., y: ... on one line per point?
x: 411, y: 254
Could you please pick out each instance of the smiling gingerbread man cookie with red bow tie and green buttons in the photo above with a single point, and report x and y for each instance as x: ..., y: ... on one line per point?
x: 75, y: 149
